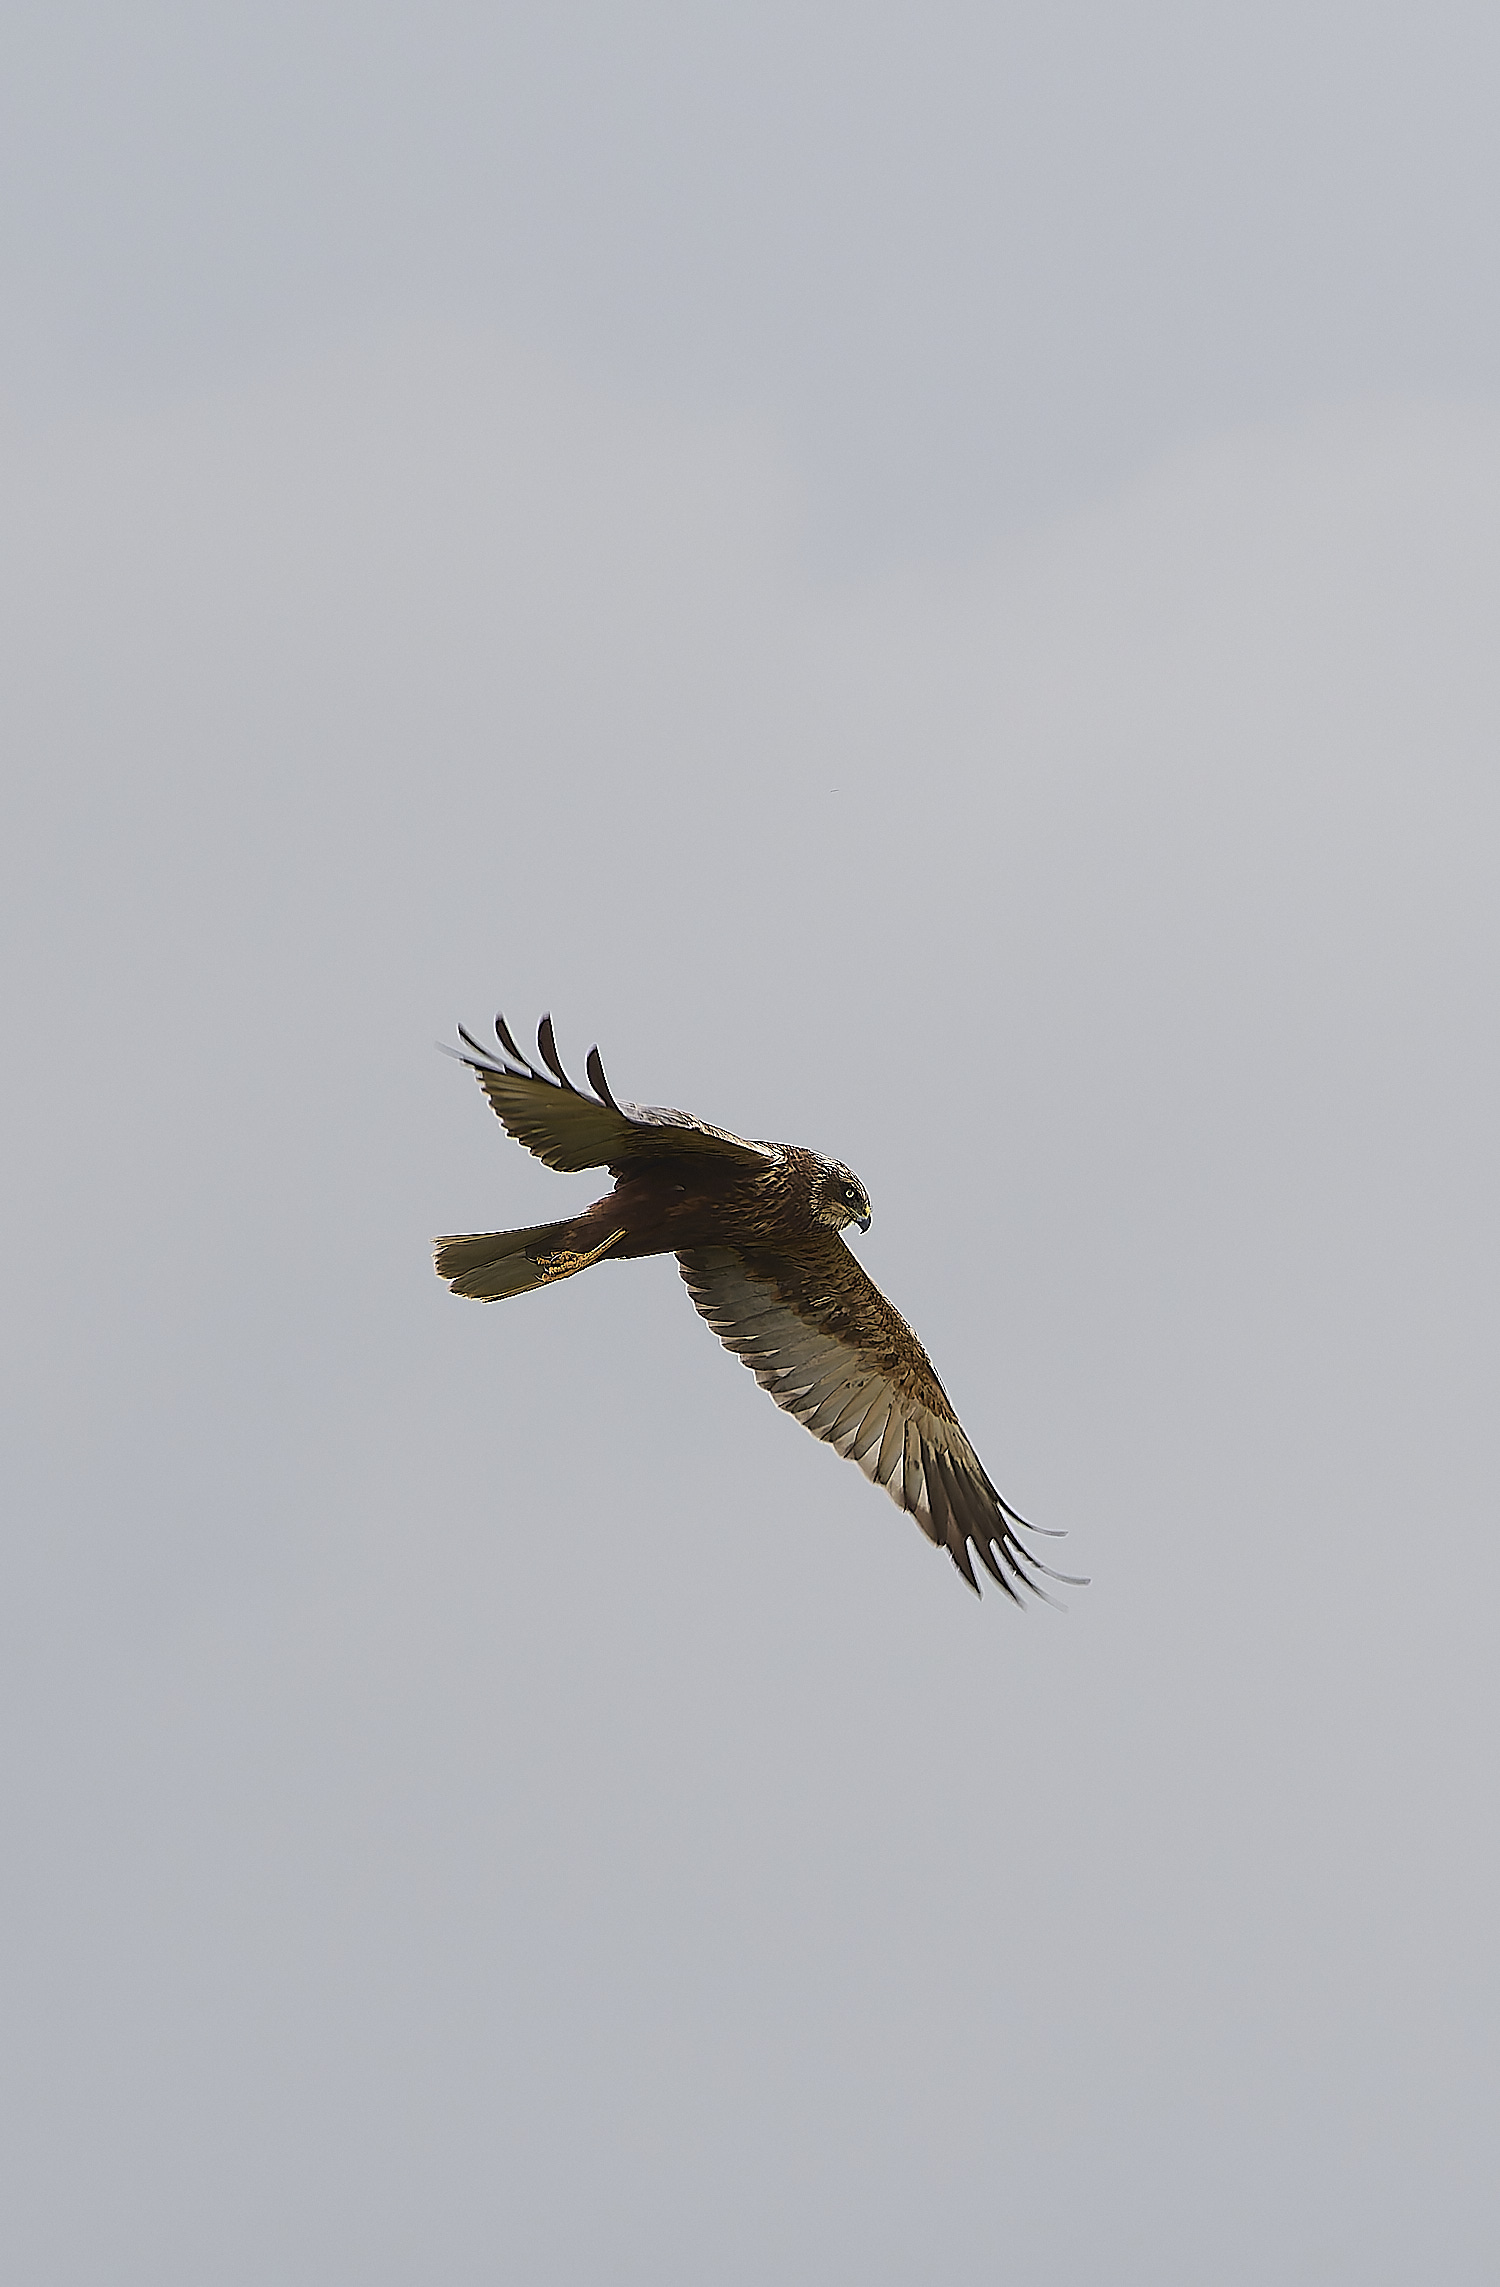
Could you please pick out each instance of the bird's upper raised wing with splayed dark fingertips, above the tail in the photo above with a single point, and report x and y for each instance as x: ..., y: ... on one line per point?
x: 571, y: 1131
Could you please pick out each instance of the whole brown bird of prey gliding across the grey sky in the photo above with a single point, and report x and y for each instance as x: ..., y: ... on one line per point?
x: 758, y: 1236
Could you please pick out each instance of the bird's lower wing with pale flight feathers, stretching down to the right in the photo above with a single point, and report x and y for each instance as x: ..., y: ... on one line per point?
x: 827, y: 1344
